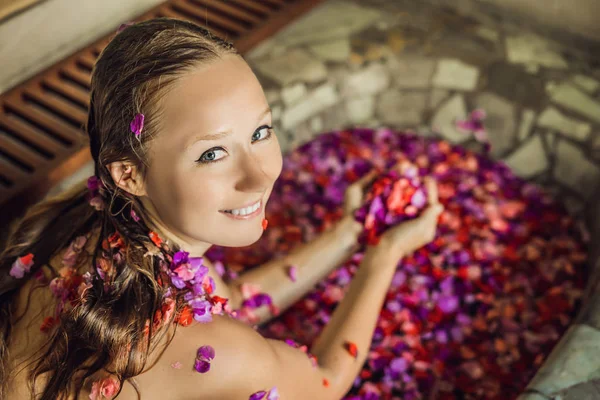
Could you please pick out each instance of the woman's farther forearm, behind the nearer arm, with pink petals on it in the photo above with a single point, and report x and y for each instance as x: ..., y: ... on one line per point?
x: 314, y: 261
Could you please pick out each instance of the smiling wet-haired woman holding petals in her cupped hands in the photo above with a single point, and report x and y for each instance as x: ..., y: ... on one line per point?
x: 185, y: 158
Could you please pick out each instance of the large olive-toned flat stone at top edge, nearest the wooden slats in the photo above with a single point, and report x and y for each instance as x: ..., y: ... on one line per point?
x: 333, y: 19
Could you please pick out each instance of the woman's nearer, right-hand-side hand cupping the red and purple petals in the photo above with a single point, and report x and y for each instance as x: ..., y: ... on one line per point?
x: 411, y: 235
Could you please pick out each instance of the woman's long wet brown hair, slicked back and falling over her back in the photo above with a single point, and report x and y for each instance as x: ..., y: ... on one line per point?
x: 106, y: 330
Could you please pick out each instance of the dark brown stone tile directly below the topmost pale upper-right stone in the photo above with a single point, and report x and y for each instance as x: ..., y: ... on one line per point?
x: 501, y: 78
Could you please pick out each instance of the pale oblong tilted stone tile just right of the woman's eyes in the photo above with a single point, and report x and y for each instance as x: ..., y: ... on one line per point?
x: 313, y: 103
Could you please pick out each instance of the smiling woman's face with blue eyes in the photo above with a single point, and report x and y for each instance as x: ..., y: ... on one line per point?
x: 215, y: 152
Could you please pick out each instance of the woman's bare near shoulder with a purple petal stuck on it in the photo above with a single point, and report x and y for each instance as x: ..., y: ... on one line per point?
x: 244, y: 363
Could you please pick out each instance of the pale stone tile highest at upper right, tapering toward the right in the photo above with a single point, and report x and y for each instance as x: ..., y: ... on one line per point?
x: 530, y: 48
